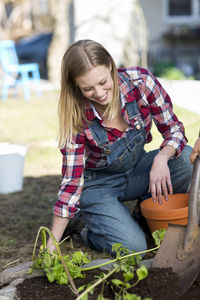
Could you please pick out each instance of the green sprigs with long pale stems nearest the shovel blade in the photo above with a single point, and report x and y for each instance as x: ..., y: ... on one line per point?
x: 127, y: 263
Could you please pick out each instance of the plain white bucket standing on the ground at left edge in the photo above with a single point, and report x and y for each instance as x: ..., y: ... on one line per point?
x: 11, y: 167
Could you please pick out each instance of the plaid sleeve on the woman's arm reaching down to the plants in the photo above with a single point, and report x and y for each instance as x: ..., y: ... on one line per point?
x: 72, y: 179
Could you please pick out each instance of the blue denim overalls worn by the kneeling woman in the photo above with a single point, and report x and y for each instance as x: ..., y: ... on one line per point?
x: 126, y: 177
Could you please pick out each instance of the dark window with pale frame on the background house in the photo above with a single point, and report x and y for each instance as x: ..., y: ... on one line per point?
x: 182, y: 11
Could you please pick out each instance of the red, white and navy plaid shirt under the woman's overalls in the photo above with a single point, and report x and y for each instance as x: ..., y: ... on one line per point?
x: 153, y: 104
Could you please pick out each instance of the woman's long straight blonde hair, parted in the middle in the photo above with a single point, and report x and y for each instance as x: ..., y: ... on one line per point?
x: 79, y: 58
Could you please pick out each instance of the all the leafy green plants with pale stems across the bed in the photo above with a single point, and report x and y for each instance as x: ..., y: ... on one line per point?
x: 64, y: 269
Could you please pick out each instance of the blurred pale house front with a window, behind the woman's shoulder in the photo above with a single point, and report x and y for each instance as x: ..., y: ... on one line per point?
x: 173, y: 34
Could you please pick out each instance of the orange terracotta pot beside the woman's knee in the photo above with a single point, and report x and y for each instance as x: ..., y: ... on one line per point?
x: 175, y: 211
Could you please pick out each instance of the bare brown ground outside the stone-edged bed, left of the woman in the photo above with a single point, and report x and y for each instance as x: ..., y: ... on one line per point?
x: 22, y: 214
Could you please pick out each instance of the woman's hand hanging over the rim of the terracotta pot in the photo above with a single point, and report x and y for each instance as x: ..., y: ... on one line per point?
x: 160, y: 179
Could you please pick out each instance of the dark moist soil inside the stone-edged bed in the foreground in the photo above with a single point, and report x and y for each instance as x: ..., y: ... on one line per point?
x: 161, y: 284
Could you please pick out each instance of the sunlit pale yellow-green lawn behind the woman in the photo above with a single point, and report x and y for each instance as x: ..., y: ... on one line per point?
x: 34, y: 123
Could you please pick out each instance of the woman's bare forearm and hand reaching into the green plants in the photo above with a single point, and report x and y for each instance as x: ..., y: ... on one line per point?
x: 58, y: 228
